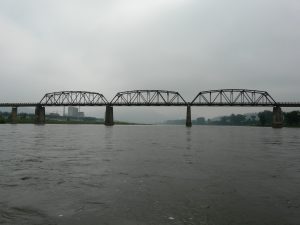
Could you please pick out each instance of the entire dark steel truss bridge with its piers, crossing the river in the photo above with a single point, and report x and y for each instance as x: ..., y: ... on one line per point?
x: 221, y: 97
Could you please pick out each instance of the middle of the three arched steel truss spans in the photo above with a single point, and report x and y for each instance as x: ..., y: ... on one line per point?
x: 148, y: 98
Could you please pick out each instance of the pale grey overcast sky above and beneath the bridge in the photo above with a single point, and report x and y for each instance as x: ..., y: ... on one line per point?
x: 182, y: 45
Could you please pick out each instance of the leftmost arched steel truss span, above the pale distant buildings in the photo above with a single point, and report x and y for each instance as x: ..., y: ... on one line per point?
x: 76, y: 98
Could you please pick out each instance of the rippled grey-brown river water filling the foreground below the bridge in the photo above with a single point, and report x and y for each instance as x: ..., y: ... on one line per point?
x: 149, y: 175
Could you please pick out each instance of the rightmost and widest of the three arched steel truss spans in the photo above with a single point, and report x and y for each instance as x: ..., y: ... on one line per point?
x: 234, y: 97
